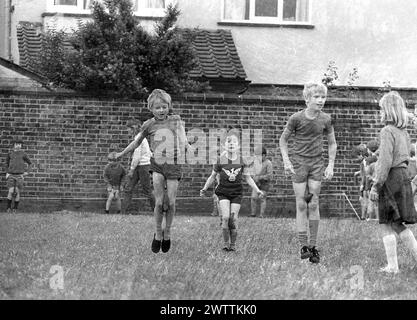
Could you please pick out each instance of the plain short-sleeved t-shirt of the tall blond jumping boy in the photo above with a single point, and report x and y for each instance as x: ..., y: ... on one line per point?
x: 309, y: 133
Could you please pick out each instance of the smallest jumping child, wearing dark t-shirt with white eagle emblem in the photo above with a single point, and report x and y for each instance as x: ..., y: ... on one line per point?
x: 231, y: 168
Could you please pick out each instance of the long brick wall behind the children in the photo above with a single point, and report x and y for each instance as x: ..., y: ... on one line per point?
x: 68, y: 138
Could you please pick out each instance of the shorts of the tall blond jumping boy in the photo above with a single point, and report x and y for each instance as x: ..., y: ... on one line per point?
x: 307, y: 168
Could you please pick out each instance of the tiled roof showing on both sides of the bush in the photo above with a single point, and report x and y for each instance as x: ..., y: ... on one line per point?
x: 216, y: 52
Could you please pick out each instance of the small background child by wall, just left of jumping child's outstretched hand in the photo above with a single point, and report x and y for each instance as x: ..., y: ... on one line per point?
x: 114, y: 174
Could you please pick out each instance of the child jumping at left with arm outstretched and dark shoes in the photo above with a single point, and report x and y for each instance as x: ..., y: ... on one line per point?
x: 166, y: 135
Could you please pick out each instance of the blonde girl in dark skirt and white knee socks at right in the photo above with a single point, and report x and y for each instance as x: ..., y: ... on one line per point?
x: 392, y: 188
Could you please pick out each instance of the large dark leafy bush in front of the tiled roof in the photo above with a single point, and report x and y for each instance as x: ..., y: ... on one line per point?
x: 113, y: 53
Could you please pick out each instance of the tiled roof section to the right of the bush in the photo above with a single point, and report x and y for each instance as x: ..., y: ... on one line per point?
x: 216, y: 54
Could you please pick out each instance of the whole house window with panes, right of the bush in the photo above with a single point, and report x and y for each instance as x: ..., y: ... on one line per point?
x: 266, y: 11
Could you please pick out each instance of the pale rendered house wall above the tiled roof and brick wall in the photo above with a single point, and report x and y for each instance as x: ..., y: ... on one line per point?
x: 376, y: 36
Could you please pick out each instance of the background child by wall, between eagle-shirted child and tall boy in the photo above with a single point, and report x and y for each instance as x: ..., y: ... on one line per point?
x: 262, y: 177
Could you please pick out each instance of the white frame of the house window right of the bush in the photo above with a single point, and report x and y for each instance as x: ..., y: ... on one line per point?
x: 267, y: 20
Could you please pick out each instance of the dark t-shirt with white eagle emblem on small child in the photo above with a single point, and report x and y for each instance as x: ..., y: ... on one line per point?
x: 230, y: 173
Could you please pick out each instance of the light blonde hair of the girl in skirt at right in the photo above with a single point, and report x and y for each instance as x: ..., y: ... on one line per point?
x: 394, y: 109
